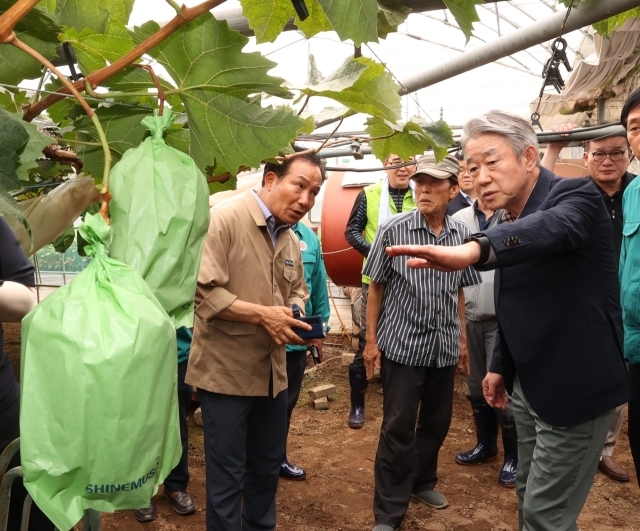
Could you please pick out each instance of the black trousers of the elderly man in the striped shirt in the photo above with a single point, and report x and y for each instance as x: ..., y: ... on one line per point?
x: 407, y: 457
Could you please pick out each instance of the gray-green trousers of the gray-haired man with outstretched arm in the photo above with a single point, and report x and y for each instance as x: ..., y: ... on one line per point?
x: 556, y: 466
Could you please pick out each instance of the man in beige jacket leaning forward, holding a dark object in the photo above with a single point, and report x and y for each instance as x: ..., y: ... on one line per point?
x: 250, y: 276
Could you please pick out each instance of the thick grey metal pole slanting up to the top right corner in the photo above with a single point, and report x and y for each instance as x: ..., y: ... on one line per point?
x: 589, y: 12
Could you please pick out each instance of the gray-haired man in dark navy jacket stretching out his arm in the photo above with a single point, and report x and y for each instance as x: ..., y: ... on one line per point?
x: 559, y: 347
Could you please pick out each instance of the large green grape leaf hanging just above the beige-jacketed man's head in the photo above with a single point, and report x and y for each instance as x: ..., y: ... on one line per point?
x: 228, y: 129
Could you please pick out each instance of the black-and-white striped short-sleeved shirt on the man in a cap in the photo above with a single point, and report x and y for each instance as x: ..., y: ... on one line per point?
x: 419, y: 322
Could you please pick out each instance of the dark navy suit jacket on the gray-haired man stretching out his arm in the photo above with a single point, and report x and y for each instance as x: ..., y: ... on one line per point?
x: 557, y: 303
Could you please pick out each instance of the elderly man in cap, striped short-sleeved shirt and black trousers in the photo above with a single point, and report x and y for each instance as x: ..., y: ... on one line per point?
x: 416, y: 334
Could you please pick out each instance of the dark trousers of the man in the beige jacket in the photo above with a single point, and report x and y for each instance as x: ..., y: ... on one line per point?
x: 244, y: 439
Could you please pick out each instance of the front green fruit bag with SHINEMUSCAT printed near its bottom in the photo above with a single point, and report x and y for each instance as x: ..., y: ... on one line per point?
x: 98, y: 404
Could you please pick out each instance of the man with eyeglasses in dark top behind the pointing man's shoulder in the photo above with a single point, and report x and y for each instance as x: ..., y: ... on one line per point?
x: 607, y: 160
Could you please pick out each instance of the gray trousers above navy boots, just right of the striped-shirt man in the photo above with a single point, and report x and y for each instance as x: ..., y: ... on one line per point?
x: 481, y: 337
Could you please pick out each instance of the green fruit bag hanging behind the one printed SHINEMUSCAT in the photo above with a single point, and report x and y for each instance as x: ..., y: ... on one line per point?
x: 160, y: 213
